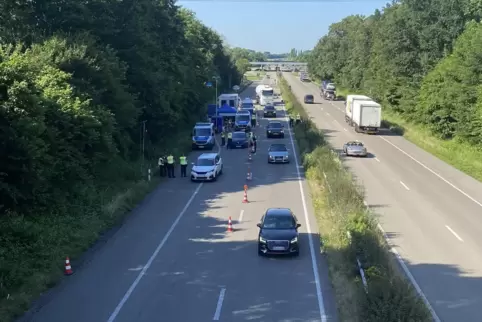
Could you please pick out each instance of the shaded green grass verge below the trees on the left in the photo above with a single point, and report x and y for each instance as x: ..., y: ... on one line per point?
x: 33, y: 249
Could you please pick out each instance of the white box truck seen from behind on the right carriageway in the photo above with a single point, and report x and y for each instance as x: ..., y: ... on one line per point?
x: 366, y: 116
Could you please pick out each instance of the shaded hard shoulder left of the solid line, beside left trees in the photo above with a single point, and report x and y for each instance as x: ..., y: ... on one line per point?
x: 110, y: 268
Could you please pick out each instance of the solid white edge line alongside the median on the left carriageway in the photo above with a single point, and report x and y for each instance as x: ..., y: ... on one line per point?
x: 316, y: 274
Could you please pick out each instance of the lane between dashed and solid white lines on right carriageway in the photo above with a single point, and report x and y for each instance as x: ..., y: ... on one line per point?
x: 434, y: 190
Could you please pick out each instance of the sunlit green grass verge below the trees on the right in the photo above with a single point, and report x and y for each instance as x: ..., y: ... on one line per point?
x: 460, y: 155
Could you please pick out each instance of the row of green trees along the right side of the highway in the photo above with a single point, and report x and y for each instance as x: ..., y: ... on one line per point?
x: 421, y: 59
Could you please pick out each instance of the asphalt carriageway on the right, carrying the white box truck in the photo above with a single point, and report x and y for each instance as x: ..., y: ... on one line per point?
x: 431, y: 212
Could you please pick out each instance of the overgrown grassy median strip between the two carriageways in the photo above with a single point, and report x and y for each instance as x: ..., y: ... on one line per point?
x: 339, y: 208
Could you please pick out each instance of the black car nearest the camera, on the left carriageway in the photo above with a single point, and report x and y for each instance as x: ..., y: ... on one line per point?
x: 278, y: 233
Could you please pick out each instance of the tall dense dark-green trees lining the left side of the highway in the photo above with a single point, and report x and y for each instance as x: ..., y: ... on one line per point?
x: 79, y: 79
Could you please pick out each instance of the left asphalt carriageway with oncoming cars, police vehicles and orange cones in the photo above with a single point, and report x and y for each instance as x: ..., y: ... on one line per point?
x: 173, y: 259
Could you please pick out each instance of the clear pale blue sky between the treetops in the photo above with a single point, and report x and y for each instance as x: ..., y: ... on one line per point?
x: 276, y: 27
